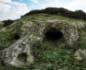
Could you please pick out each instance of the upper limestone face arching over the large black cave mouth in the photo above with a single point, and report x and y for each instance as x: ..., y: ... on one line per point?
x: 40, y: 28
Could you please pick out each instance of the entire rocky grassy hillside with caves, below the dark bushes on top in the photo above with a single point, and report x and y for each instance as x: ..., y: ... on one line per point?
x: 43, y: 41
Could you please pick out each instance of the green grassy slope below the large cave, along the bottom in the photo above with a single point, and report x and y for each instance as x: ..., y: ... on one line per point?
x: 51, y: 58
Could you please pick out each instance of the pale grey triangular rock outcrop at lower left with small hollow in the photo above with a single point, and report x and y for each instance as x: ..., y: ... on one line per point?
x: 18, y: 54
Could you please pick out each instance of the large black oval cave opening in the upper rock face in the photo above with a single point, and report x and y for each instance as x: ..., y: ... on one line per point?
x: 53, y: 34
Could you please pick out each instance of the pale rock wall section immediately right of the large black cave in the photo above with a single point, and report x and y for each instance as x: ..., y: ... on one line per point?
x: 71, y: 34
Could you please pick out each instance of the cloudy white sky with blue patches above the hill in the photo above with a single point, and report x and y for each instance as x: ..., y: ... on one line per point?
x: 14, y: 9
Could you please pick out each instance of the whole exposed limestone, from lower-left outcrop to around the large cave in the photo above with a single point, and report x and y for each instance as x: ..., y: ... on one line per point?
x: 19, y: 53
